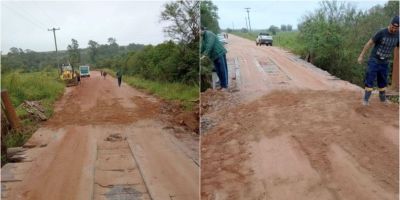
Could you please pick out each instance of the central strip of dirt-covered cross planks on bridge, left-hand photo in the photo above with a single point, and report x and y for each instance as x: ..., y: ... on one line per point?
x: 117, y: 173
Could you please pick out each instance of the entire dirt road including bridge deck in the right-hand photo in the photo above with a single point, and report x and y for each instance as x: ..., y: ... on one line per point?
x: 293, y: 131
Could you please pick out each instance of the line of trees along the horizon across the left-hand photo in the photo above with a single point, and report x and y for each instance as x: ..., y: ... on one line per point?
x: 175, y: 60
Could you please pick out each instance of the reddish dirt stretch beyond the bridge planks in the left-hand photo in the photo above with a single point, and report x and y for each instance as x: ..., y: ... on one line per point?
x: 100, y: 105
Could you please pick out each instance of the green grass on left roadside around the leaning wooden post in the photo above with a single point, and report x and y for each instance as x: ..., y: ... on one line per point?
x: 35, y: 86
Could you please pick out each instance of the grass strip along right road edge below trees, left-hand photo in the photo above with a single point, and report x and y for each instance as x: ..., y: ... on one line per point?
x: 186, y: 94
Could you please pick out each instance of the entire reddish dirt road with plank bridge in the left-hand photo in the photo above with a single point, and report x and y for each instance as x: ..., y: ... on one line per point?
x: 105, y: 142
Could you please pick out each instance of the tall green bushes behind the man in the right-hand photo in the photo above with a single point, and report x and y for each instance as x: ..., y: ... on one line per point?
x: 333, y: 36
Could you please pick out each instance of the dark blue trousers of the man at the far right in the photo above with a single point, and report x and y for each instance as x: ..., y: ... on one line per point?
x: 377, y: 71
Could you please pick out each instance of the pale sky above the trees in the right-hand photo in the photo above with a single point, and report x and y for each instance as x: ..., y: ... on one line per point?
x: 265, y: 13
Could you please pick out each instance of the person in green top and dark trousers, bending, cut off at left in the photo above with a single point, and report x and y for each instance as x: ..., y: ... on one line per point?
x: 214, y: 49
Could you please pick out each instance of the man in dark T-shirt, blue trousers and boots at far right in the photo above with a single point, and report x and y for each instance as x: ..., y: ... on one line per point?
x: 384, y: 42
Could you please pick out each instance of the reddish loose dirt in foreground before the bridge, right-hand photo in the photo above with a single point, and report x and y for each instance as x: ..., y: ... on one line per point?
x: 303, y: 145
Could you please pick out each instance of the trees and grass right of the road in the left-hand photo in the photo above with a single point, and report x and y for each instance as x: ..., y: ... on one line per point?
x: 169, y: 70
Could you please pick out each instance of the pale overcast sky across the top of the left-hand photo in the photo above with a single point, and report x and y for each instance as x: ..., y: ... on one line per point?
x: 25, y: 24
